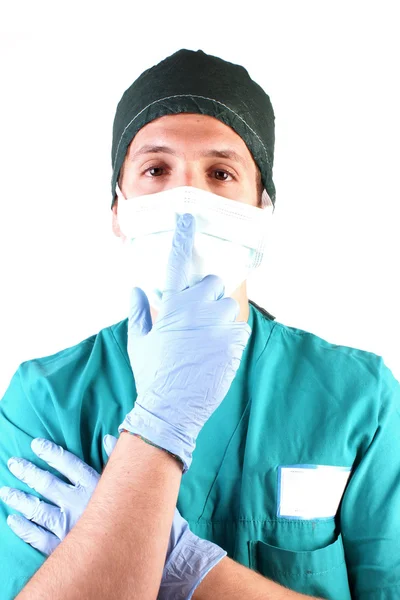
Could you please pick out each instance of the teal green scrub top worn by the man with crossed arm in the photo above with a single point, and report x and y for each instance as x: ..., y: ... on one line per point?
x: 297, y: 402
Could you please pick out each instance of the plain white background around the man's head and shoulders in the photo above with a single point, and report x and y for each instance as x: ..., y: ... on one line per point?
x: 332, y: 72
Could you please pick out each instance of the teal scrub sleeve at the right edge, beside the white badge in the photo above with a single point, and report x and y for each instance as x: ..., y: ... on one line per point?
x: 370, y: 512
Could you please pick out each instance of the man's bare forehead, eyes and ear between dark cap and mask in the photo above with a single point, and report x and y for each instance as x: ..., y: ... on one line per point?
x: 189, y: 138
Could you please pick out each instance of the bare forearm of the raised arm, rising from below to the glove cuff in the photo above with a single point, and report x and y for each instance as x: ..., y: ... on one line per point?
x: 118, y: 547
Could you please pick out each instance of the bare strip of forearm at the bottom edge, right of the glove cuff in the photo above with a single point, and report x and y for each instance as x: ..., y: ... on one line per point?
x: 231, y: 581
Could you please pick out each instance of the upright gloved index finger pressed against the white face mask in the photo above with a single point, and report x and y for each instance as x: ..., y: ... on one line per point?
x: 178, y: 268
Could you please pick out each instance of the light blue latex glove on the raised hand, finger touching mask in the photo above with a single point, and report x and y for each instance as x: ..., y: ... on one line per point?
x: 184, y: 365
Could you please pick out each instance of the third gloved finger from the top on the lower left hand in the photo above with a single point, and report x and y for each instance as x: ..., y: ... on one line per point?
x: 35, y: 510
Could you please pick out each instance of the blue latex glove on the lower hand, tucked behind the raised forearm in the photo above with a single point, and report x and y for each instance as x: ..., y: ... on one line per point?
x: 43, y: 526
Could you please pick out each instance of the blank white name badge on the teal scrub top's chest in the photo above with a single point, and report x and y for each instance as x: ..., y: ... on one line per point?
x: 310, y: 491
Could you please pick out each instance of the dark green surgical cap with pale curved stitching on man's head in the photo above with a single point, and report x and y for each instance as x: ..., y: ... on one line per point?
x: 194, y: 82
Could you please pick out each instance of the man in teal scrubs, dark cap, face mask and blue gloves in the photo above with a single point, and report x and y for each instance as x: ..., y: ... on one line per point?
x: 199, y: 449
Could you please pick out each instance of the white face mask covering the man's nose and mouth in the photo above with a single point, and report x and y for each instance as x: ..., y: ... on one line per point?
x: 229, y: 239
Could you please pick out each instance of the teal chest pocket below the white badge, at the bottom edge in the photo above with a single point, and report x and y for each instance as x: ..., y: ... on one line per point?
x: 319, y: 572
